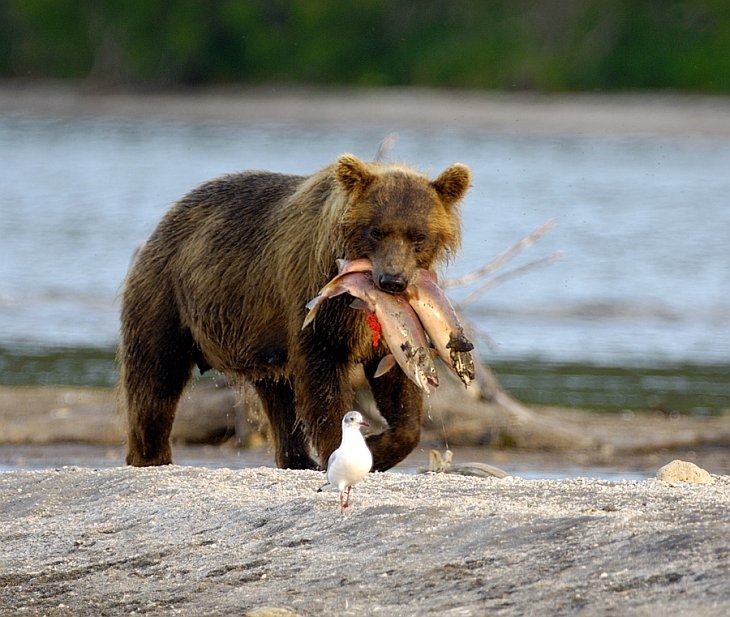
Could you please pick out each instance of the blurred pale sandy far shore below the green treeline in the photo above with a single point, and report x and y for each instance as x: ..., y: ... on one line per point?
x: 392, y: 109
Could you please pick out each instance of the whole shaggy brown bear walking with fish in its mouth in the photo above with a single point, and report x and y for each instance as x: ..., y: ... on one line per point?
x: 223, y: 282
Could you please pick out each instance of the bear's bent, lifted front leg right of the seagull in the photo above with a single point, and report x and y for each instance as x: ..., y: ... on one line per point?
x: 400, y: 402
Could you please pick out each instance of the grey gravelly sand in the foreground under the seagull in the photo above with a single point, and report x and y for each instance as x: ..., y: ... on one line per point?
x: 209, y: 542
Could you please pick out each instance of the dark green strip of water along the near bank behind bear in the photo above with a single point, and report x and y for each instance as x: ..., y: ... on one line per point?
x: 685, y: 388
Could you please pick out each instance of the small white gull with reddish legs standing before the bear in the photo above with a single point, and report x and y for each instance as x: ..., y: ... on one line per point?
x: 352, y: 461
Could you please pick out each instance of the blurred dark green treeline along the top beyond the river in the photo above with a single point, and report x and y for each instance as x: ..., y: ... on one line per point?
x: 550, y: 45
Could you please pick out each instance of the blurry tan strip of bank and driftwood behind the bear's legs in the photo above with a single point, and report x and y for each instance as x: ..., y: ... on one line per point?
x: 452, y: 416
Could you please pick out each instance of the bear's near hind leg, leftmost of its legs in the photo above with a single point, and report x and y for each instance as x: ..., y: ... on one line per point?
x: 155, y: 371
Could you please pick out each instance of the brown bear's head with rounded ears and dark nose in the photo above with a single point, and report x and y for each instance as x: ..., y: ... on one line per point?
x: 398, y: 218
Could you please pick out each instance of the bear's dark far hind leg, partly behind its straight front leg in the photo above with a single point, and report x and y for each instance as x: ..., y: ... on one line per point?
x: 290, y: 442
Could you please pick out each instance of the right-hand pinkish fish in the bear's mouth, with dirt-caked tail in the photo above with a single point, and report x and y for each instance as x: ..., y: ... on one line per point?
x: 439, y: 319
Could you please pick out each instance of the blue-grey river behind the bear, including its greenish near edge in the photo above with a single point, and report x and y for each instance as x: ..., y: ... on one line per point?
x: 643, y: 224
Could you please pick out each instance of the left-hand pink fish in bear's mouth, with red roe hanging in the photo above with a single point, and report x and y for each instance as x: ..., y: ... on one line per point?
x: 401, y: 328
